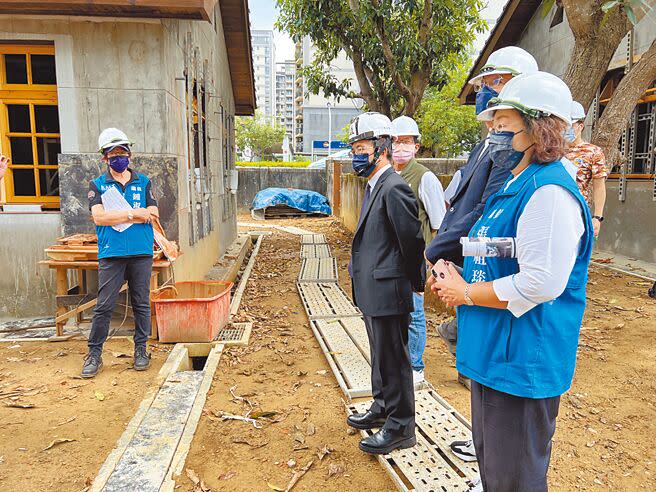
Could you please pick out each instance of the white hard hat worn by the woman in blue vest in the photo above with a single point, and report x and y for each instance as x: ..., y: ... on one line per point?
x: 537, y: 94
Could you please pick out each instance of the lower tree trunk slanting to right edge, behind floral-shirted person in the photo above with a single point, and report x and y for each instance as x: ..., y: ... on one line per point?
x: 614, y: 119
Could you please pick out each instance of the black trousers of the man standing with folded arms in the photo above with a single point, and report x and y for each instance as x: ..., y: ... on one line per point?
x: 112, y: 272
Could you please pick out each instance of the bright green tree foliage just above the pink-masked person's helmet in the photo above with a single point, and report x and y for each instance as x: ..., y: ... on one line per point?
x: 447, y: 128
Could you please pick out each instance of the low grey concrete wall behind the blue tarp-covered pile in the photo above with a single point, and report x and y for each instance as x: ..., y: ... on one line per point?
x: 254, y: 179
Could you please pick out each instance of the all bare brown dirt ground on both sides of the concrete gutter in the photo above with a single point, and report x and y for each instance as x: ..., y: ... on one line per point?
x: 604, y: 438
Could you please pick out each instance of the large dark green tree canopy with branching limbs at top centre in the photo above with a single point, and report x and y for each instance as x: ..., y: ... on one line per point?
x: 398, y: 47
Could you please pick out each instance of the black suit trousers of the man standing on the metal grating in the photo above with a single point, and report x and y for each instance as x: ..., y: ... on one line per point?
x: 391, y: 372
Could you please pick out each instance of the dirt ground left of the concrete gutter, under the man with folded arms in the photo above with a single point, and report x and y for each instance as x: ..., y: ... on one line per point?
x: 81, y: 419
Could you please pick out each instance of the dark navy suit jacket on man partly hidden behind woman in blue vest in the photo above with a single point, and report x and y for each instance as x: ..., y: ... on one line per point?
x: 480, y: 180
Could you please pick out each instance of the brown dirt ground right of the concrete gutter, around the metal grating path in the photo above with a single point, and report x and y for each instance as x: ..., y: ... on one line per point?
x: 606, y: 427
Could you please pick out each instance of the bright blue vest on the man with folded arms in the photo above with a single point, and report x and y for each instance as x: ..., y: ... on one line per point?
x: 136, y: 239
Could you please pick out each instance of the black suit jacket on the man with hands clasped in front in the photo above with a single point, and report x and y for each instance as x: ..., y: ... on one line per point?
x: 387, y: 250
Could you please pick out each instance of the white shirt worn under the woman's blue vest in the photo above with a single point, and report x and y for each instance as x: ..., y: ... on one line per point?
x: 548, y: 239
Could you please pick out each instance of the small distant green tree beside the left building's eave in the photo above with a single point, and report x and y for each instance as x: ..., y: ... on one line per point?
x: 256, y: 134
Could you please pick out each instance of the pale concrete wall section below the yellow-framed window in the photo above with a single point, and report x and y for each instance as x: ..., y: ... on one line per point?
x: 26, y: 288
